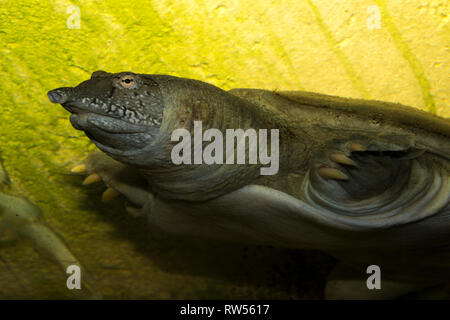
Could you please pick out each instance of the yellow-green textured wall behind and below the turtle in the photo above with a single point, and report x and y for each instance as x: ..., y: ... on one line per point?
x: 321, y: 46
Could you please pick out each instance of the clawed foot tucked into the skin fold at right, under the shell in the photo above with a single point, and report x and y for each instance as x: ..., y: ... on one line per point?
x: 358, y: 167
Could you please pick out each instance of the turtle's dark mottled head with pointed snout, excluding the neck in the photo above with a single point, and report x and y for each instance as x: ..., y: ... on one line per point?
x: 119, y: 112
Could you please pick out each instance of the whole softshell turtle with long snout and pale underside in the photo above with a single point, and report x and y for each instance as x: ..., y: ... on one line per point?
x: 364, y: 181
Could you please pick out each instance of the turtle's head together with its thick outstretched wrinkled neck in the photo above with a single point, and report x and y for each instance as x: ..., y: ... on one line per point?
x: 133, y: 117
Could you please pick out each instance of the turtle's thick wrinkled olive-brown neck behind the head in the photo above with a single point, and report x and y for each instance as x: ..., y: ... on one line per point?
x: 186, y: 101
